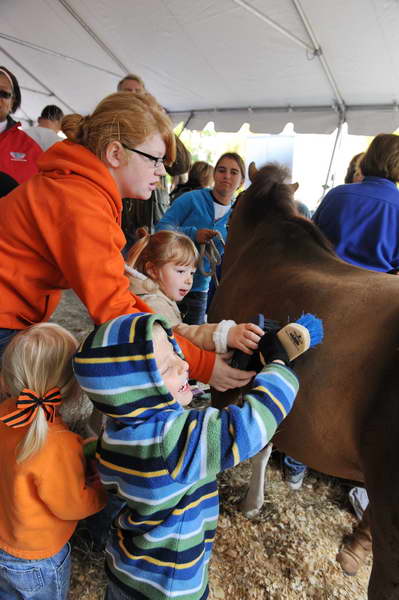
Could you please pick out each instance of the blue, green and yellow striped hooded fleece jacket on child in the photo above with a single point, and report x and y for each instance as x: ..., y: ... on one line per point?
x: 163, y: 459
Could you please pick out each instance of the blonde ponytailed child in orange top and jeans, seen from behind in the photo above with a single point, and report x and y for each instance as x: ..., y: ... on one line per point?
x: 43, y: 483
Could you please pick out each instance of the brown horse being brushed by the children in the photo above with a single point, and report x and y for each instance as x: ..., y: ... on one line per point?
x: 345, y: 421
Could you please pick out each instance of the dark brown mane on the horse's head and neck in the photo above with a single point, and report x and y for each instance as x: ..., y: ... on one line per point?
x: 269, y: 195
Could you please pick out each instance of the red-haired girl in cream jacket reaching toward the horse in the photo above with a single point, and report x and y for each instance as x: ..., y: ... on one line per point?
x: 160, y: 268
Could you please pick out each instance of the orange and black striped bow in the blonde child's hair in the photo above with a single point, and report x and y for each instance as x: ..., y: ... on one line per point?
x: 28, y: 404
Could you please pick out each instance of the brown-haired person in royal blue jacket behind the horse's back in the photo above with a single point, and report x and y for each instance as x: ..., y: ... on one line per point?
x: 362, y: 219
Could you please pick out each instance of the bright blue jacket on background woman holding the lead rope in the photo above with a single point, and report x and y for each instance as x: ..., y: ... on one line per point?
x: 189, y: 213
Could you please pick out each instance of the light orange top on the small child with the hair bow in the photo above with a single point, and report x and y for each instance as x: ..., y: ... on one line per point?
x: 43, y: 497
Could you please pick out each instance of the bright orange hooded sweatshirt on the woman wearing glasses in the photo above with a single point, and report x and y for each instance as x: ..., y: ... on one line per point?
x: 60, y: 230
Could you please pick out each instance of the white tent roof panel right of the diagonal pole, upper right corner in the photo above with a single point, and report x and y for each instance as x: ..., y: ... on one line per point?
x: 360, y: 41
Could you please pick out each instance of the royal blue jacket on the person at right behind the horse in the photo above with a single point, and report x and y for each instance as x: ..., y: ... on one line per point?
x: 362, y: 221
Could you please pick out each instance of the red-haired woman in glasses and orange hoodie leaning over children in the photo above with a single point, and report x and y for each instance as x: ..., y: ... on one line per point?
x: 61, y: 228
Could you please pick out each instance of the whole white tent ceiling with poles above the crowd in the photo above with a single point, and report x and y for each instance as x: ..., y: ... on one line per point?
x: 219, y: 60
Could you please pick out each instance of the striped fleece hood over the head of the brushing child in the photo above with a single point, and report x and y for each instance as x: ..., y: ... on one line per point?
x: 117, y: 369
